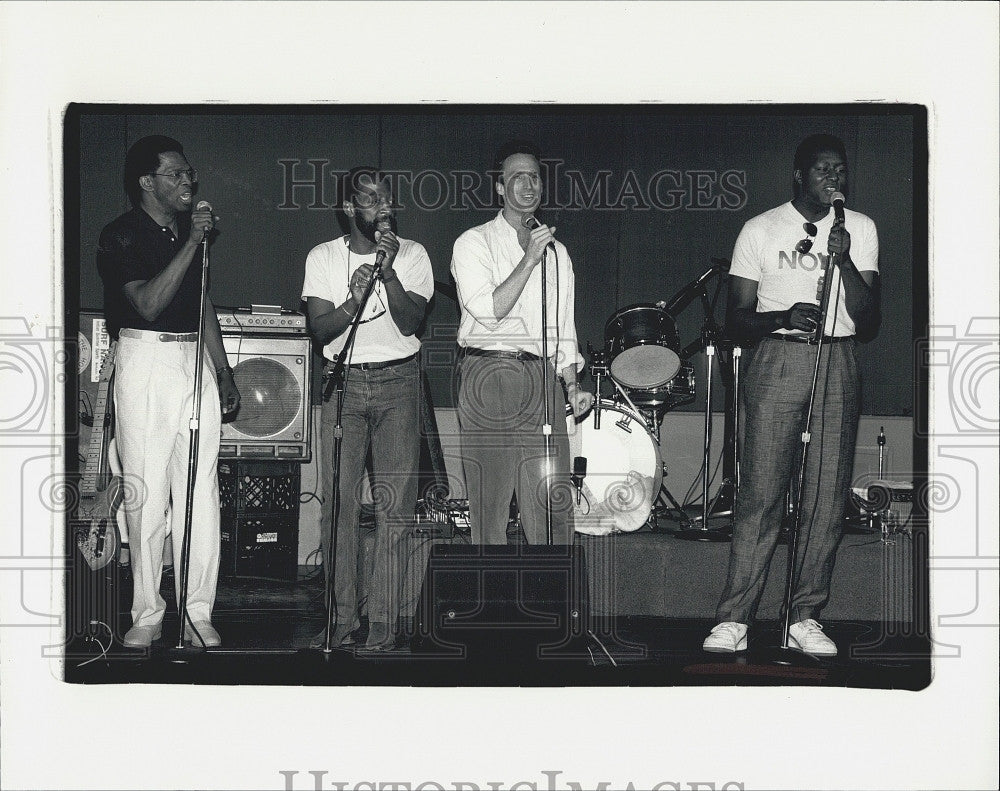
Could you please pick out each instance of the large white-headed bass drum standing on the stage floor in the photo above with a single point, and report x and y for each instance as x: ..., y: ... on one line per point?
x: 623, y: 471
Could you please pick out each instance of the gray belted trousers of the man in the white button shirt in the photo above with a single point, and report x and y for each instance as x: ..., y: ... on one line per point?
x: 500, y: 413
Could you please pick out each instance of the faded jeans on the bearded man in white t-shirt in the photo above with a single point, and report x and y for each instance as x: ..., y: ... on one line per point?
x: 382, y: 414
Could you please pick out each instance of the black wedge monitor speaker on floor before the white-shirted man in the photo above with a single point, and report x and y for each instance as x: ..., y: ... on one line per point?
x: 498, y: 602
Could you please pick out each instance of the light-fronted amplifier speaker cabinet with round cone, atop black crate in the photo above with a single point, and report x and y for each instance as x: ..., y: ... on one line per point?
x: 274, y: 419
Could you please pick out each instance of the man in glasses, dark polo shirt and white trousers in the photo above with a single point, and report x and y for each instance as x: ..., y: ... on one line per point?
x: 150, y: 261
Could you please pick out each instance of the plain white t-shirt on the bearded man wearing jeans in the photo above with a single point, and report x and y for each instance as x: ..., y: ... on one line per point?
x: 329, y: 267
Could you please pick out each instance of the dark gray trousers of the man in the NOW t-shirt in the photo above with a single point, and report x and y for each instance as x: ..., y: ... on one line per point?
x: 774, y: 401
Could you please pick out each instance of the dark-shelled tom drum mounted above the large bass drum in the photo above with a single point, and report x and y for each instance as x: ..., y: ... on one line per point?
x: 643, y: 345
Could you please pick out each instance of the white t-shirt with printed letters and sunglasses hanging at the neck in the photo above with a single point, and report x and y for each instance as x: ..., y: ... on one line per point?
x: 765, y: 252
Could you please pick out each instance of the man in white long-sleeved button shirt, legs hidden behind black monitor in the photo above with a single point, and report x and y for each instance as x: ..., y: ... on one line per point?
x: 497, y: 268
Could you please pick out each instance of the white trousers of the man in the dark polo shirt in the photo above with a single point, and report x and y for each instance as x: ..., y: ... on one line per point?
x: 154, y: 385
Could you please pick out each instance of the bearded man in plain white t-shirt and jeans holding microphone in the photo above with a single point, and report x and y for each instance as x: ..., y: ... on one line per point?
x: 382, y: 395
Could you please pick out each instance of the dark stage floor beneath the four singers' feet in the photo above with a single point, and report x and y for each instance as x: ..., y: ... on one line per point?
x: 266, y: 626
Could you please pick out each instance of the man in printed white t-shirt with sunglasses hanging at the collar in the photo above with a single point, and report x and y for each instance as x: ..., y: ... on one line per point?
x: 775, y: 287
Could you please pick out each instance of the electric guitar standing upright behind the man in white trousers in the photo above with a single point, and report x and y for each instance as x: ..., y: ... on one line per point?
x: 101, y: 486
